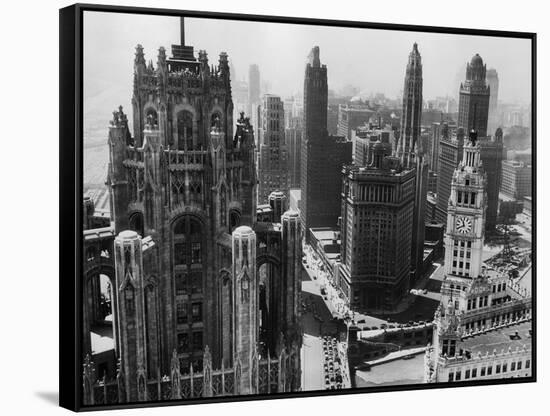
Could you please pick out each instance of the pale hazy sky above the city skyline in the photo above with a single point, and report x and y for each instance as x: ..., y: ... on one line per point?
x: 373, y: 60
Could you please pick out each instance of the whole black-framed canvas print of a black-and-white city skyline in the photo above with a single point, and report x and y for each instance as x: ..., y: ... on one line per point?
x: 256, y: 207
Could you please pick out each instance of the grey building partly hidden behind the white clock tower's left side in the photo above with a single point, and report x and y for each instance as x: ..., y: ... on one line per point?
x: 450, y: 155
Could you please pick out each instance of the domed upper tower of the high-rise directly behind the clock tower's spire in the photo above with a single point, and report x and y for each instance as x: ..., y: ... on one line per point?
x: 473, y: 105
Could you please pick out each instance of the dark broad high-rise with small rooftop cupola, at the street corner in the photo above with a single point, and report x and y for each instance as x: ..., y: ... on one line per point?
x: 377, y: 231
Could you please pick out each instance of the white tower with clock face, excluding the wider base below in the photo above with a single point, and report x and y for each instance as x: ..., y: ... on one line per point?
x: 466, y: 217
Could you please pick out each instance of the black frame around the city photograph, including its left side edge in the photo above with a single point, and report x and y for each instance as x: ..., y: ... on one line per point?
x: 71, y: 176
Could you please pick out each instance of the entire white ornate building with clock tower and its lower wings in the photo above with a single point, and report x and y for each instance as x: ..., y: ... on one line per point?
x: 480, y: 309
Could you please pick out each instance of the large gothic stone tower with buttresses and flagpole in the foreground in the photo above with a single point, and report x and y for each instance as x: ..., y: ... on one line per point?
x: 185, y: 252
